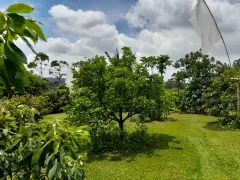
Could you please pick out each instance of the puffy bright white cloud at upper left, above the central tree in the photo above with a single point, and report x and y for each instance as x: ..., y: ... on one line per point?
x: 83, y: 23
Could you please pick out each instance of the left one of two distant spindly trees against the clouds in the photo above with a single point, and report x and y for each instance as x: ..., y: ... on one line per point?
x: 40, y: 61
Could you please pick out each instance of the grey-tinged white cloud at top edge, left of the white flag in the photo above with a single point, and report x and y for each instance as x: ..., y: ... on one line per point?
x: 159, y: 14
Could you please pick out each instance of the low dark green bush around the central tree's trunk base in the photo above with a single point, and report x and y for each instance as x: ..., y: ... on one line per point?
x: 106, y: 137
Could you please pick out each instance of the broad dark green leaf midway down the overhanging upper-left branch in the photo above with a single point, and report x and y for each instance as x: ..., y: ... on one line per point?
x: 13, y: 53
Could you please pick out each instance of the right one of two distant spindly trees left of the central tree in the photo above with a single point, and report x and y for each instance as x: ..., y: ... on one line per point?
x: 57, y: 69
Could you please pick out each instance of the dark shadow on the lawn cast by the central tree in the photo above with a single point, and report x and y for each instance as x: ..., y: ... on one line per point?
x: 157, y: 142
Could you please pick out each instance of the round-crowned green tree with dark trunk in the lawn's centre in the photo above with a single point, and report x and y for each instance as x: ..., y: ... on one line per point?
x: 105, y: 91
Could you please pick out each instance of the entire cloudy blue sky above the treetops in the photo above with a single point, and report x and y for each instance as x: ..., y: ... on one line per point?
x: 83, y: 28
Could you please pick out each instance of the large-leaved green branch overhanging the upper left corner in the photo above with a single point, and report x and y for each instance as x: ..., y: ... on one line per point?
x: 12, y: 59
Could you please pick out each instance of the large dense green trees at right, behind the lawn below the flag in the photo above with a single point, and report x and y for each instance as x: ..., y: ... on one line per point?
x: 209, y: 89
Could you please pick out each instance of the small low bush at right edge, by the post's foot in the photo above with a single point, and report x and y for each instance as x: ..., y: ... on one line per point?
x: 231, y: 122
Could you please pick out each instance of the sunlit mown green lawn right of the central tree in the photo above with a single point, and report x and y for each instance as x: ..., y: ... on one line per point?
x: 193, y: 147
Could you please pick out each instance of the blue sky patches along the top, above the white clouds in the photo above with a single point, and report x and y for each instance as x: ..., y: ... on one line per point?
x: 112, y: 8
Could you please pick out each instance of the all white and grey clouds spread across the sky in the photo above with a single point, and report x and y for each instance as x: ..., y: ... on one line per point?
x: 164, y: 30
